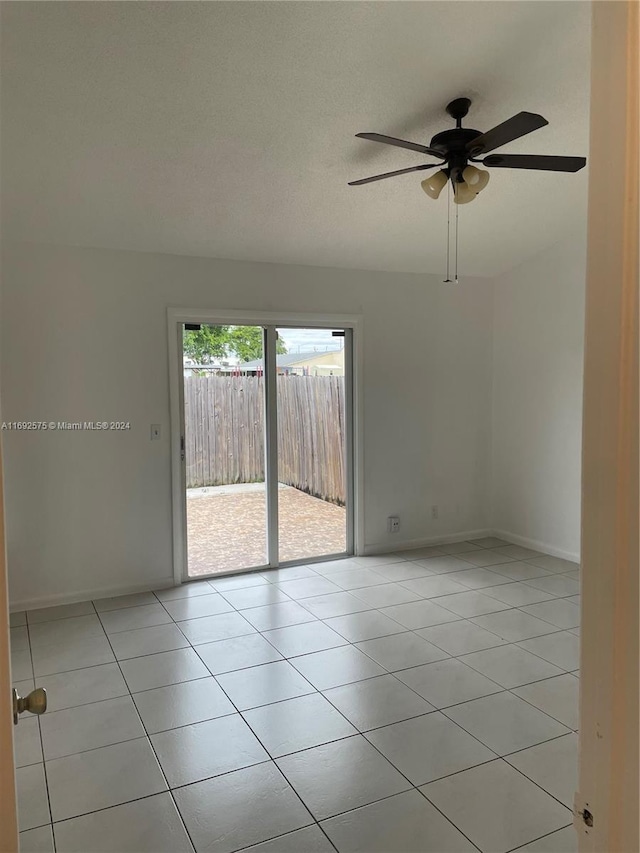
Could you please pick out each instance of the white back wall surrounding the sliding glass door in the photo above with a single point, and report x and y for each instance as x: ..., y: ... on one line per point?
x: 84, y: 337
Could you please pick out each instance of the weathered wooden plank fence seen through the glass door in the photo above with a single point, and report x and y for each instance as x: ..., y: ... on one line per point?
x: 224, y: 432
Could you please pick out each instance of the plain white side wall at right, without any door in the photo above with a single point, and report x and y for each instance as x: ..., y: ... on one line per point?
x: 538, y: 343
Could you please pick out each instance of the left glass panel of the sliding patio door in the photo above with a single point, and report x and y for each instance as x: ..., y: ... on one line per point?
x: 224, y: 451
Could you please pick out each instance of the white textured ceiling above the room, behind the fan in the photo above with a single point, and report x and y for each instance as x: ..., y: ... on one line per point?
x: 226, y: 129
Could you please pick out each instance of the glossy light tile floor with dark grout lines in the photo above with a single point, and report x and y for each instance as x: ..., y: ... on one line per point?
x: 418, y: 702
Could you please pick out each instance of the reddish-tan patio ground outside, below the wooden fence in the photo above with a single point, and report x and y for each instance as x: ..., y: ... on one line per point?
x: 226, y: 527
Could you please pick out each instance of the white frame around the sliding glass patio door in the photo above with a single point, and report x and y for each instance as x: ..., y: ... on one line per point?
x: 354, y: 449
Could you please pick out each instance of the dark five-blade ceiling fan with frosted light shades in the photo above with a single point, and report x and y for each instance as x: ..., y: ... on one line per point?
x: 460, y: 147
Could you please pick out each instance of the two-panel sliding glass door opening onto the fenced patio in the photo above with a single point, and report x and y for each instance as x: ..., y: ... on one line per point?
x: 266, y: 445
